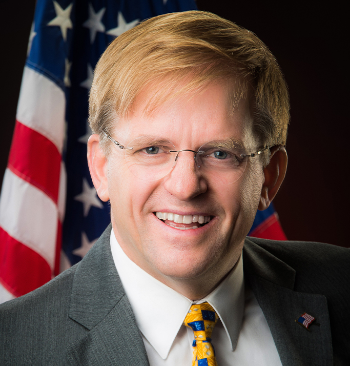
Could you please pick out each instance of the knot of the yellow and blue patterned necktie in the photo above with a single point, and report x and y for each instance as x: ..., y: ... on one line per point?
x: 201, y: 318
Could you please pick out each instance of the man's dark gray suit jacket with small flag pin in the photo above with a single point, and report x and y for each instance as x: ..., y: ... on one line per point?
x: 83, y: 316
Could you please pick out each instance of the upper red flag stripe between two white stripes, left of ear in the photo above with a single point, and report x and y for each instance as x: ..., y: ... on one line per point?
x: 35, y: 159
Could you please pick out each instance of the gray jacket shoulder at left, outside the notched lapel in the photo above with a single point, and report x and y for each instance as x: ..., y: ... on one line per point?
x: 36, y: 326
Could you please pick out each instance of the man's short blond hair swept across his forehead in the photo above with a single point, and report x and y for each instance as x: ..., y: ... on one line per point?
x: 196, y: 47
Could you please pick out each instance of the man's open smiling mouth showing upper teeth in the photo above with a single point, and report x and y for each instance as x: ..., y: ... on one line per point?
x: 183, y: 222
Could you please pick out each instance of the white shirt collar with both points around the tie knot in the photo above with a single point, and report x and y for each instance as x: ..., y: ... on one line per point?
x: 151, y: 299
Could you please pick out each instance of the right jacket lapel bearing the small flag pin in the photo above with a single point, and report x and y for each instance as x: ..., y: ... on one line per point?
x: 272, y: 282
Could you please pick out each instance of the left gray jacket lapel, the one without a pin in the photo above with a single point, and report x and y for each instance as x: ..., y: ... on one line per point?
x: 99, y: 304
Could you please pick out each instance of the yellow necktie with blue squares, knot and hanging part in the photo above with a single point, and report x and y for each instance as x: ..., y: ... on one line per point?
x: 202, y: 318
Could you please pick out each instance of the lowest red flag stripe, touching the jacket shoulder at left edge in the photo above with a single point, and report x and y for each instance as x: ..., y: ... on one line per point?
x: 21, y: 269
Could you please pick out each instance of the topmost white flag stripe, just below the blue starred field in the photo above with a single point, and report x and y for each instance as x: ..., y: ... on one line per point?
x: 41, y: 106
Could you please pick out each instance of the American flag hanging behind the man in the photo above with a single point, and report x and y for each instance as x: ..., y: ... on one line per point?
x: 50, y: 215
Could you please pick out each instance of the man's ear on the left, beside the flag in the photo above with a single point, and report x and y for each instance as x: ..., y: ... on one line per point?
x: 98, y: 167
